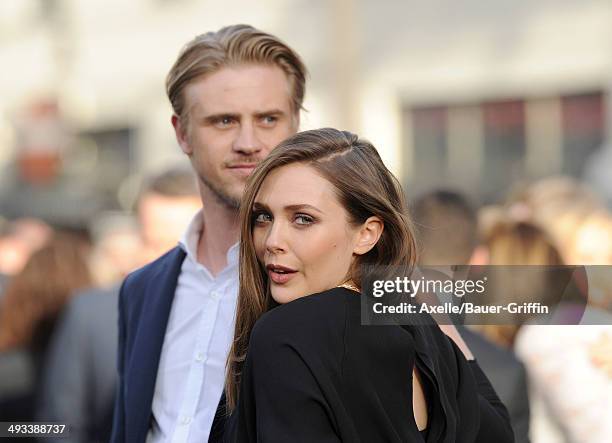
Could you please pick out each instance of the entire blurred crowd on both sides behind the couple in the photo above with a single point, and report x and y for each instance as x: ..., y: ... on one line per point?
x: 59, y: 290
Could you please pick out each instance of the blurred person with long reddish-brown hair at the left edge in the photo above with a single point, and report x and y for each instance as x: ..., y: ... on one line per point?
x: 29, y: 310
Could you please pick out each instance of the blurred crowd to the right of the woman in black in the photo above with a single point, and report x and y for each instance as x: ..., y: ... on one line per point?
x: 556, y: 380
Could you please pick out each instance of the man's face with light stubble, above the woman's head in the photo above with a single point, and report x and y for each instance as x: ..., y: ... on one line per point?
x: 236, y: 116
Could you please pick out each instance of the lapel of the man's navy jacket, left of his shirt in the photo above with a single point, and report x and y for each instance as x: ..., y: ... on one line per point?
x: 150, y: 333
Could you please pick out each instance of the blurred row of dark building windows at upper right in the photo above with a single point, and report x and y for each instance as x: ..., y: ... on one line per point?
x: 443, y: 144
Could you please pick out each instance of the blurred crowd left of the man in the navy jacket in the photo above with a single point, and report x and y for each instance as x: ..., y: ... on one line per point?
x: 58, y: 304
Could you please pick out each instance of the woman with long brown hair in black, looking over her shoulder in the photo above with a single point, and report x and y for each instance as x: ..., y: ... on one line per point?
x: 318, y: 210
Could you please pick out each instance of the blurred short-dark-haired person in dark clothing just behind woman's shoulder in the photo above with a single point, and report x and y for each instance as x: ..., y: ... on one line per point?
x: 447, y: 234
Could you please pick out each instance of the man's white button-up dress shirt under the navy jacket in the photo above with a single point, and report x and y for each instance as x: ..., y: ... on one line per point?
x: 191, y: 373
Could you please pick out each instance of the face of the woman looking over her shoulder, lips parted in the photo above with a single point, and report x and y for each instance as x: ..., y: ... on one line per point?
x: 302, y: 234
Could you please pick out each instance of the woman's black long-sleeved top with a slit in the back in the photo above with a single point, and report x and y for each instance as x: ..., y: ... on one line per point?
x: 313, y: 373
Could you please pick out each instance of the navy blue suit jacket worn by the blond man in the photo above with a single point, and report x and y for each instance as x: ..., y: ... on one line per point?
x: 145, y: 300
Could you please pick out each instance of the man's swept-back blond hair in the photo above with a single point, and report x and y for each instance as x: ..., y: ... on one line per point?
x: 231, y: 46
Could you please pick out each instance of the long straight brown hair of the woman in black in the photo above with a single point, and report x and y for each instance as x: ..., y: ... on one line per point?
x: 364, y: 187
